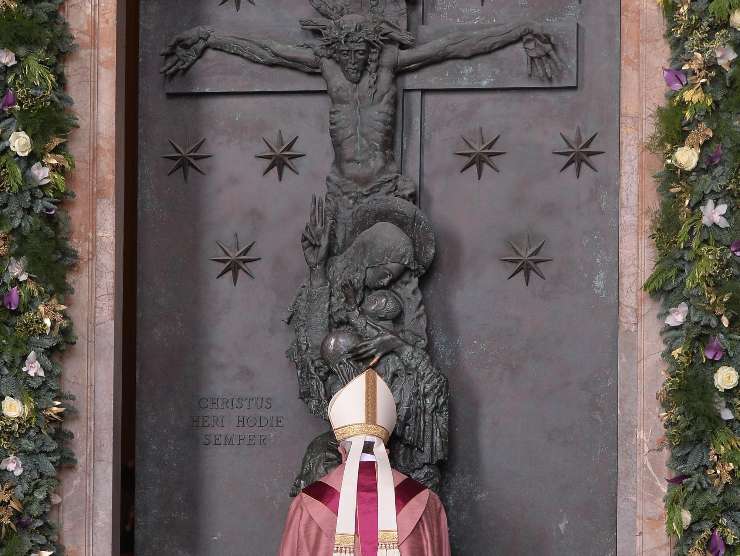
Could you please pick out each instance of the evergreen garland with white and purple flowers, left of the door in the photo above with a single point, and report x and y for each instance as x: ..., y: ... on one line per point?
x: 35, y: 257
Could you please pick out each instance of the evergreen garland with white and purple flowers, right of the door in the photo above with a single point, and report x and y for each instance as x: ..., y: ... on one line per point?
x: 697, y: 238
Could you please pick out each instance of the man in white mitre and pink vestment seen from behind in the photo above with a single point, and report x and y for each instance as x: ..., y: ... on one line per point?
x: 363, y: 507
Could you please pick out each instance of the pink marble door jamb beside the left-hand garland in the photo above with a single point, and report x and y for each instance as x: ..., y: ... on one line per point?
x: 88, y: 514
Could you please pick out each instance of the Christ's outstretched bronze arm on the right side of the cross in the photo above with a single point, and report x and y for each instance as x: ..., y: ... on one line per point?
x: 541, y: 56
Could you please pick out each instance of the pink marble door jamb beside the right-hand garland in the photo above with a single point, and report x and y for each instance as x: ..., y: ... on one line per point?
x: 642, y: 472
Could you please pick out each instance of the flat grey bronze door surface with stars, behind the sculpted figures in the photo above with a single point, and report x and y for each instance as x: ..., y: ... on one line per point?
x: 525, y: 331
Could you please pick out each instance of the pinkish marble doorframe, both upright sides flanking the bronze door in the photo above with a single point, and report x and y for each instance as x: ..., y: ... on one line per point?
x: 89, y: 515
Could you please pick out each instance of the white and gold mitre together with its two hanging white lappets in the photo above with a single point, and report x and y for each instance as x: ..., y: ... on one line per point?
x: 365, y: 411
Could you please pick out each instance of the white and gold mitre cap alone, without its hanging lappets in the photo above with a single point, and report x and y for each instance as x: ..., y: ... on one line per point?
x: 364, y: 407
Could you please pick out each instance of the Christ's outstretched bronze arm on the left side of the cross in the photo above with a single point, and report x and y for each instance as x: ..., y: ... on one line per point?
x: 186, y: 48
